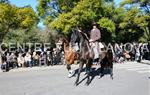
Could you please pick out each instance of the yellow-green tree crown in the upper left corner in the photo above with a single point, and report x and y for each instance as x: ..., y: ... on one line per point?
x: 12, y: 17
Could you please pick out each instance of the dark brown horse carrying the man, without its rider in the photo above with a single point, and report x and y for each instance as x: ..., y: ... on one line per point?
x: 86, y: 55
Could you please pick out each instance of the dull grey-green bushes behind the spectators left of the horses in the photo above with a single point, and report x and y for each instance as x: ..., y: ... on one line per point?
x: 31, y: 36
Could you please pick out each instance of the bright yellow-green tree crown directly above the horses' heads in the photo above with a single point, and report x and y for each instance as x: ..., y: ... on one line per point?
x: 81, y: 15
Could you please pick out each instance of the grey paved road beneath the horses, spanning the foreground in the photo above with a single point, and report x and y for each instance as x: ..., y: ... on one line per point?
x: 130, y: 78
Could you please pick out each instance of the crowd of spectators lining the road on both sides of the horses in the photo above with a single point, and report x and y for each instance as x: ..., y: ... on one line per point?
x: 54, y: 56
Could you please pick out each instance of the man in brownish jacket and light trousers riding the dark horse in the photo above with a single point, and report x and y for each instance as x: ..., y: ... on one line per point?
x: 95, y: 36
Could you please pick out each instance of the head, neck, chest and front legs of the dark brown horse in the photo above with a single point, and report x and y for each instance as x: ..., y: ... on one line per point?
x: 85, y: 53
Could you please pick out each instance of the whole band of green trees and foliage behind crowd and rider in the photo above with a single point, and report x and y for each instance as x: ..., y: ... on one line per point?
x: 126, y: 23
